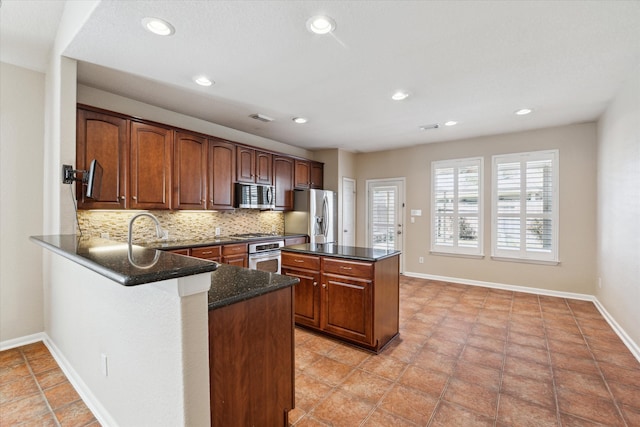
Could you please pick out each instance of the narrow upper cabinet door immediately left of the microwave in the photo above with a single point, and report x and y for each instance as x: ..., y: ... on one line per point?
x: 222, y: 170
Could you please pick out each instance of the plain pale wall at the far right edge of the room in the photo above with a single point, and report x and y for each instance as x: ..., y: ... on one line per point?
x: 619, y: 208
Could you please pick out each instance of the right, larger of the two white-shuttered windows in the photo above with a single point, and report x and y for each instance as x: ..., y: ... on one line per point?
x: 525, y: 206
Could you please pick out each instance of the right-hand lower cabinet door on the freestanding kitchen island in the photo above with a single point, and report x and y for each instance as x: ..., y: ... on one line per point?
x: 347, y: 307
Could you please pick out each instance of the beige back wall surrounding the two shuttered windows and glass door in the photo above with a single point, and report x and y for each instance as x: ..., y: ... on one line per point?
x: 577, y: 154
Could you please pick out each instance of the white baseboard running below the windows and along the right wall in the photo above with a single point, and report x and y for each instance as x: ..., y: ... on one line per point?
x: 626, y: 339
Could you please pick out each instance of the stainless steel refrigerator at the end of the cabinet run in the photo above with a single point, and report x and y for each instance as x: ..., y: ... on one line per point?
x: 316, y: 214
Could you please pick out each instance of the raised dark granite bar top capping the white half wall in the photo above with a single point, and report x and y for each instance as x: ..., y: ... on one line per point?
x: 111, y: 259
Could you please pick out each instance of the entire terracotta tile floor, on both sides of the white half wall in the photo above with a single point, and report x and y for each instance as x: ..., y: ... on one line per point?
x: 466, y: 356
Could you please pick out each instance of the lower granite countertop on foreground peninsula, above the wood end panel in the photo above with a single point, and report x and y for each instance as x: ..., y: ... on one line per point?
x: 231, y: 284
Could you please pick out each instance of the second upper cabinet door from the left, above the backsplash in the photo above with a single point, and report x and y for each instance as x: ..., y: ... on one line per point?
x: 150, y: 167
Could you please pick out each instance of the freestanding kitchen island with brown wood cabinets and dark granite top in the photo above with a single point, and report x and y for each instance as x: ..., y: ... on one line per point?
x: 349, y: 293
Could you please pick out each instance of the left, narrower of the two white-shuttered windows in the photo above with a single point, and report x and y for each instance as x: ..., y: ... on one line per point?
x: 457, y: 206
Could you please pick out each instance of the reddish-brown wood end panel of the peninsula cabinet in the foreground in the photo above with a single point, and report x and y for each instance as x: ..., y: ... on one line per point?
x: 251, y: 361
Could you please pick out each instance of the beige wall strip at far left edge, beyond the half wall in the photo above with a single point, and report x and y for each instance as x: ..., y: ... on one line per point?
x: 21, y: 181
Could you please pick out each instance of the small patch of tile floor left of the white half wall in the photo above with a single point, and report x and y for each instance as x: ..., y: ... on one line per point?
x: 35, y: 392
